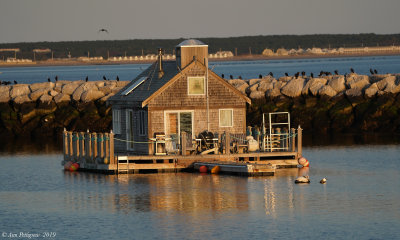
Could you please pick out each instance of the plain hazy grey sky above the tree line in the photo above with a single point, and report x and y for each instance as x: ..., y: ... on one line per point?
x: 64, y: 20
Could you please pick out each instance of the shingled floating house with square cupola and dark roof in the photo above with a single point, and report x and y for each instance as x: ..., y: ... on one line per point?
x: 172, y: 97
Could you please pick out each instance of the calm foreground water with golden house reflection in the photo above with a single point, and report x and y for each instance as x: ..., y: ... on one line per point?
x: 359, y: 201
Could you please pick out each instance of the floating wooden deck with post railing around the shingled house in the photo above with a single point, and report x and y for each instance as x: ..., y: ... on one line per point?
x: 95, y: 152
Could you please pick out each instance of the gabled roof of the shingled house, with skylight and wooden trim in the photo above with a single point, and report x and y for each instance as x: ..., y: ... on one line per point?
x: 153, y: 85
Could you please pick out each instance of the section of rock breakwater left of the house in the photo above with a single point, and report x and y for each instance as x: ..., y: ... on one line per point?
x: 44, y: 109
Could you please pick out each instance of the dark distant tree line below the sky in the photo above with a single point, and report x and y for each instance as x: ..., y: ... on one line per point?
x: 238, y: 45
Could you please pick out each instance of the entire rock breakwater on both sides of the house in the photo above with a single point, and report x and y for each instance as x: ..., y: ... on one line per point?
x: 334, y: 103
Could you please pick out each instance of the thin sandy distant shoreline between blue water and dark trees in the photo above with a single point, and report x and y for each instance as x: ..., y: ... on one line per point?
x: 236, y: 58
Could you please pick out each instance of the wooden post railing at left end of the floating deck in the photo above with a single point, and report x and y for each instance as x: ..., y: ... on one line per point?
x: 87, y: 147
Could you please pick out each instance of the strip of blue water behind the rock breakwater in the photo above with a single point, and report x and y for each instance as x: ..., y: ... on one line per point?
x: 245, y: 69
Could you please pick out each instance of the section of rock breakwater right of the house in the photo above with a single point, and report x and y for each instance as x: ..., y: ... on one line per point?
x: 333, y: 103
